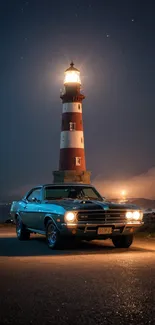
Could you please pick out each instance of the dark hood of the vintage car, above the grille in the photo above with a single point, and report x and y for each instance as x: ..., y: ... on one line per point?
x: 92, y: 205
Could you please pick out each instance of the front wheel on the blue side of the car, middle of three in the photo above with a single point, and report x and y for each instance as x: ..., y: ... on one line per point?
x: 52, y: 236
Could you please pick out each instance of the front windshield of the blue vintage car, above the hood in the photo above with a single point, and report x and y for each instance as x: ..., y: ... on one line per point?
x: 71, y: 192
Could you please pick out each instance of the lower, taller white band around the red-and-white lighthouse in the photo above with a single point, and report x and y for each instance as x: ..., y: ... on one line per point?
x: 71, y: 139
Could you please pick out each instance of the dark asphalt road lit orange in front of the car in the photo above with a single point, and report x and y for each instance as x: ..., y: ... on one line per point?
x: 92, y: 283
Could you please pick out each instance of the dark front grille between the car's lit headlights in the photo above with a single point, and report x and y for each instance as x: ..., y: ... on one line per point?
x: 110, y: 216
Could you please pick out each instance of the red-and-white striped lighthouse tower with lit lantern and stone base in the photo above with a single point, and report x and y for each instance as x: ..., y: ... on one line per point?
x: 72, y: 164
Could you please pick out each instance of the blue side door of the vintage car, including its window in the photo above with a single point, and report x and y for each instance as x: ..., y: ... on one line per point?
x: 31, y: 209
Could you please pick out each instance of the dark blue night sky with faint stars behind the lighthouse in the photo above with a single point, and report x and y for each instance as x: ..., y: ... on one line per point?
x: 112, y: 42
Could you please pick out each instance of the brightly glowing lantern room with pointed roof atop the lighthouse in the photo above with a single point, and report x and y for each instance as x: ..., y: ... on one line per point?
x: 72, y: 75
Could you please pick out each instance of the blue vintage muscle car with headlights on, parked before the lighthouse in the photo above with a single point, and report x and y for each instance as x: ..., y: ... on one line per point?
x: 61, y: 211
